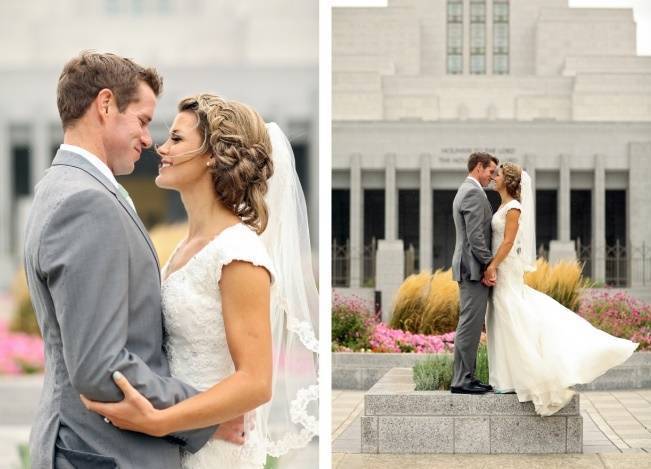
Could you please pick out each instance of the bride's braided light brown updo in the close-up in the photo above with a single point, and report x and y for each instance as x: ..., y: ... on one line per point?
x: 236, y: 137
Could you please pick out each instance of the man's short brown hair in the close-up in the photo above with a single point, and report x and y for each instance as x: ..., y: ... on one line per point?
x: 87, y: 74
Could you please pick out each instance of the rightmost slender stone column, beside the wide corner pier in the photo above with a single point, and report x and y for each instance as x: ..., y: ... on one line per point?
x: 599, y: 220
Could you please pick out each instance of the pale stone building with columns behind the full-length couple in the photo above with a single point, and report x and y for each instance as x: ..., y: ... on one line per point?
x: 420, y: 84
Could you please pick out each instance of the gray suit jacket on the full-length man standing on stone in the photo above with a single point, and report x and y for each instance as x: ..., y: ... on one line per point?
x: 472, y: 215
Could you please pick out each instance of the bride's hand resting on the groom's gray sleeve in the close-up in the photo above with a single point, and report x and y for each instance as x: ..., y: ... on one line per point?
x: 133, y: 413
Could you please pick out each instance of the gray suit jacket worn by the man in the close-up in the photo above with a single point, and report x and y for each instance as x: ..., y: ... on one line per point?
x: 94, y: 281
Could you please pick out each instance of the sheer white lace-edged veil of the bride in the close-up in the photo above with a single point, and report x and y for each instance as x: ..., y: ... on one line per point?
x: 290, y: 419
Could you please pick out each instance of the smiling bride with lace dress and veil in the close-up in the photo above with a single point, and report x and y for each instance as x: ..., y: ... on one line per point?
x: 239, y: 297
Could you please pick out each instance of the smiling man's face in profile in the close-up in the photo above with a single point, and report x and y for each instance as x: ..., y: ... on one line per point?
x: 127, y: 133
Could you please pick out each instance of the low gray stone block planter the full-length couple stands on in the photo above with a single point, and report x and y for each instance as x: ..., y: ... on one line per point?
x: 398, y: 419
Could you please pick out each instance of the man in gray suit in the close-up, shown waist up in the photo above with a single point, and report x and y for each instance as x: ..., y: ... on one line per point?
x: 94, y: 277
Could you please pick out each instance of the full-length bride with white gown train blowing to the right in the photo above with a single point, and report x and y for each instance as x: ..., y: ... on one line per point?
x: 537, y: 348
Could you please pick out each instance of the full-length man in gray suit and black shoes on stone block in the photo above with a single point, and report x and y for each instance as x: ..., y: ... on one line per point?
x: 472, y: 253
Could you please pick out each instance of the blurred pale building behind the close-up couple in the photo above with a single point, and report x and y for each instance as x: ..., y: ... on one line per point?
x: 262, y: 52
